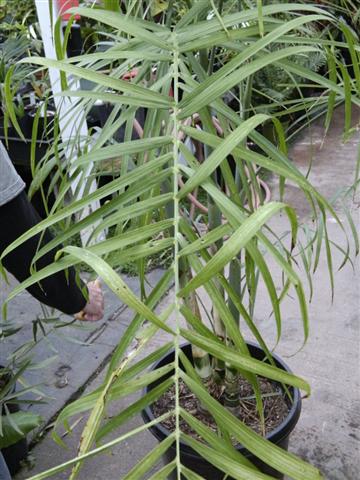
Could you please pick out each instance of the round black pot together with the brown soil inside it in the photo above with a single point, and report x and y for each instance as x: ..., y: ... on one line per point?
x: 281, y: 415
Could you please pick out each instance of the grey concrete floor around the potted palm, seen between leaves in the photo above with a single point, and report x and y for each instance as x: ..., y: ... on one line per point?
x: 328, y: 432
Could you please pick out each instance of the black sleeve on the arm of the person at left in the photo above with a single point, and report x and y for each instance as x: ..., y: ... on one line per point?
x: 58, y: 290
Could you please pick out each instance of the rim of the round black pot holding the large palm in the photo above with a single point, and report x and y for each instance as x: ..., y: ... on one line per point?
x: 275, y: 436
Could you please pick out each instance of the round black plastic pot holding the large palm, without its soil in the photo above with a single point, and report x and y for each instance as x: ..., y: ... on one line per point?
x: 191, y: 459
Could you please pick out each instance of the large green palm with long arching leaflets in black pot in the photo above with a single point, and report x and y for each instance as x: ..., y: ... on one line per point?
x: 227, y: 255
